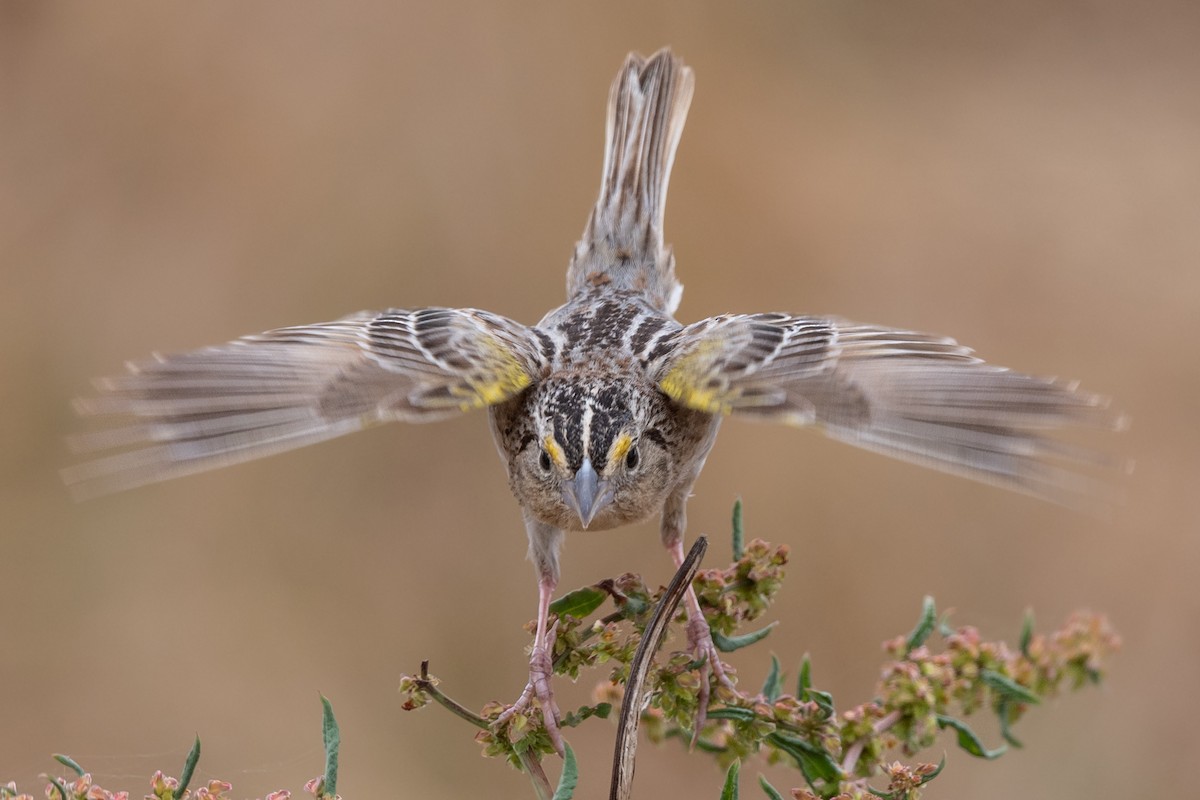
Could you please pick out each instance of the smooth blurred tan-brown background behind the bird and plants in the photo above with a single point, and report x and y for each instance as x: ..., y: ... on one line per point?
x: 1024, y: 177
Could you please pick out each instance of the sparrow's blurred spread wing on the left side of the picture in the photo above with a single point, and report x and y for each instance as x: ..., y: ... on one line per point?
x: 179, y: 414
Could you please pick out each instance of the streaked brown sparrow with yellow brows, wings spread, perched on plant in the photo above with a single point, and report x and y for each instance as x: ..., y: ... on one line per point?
x: 605, y: 411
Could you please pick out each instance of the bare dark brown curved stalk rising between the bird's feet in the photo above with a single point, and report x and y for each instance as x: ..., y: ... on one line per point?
x: 640, y: 667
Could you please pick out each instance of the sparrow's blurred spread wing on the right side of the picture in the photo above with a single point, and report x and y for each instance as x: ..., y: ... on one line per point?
x: 913, y: 396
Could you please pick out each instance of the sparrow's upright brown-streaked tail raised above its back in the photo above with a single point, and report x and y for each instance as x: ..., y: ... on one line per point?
x: 622, y: 246
